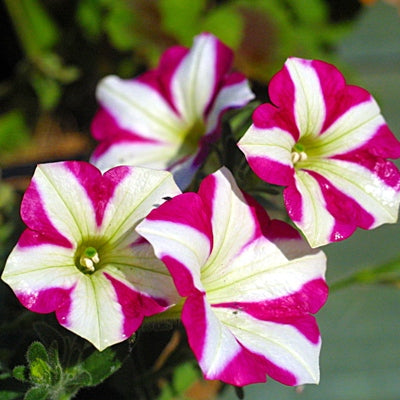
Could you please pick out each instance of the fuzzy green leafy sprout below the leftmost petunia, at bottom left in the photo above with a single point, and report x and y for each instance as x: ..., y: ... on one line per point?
x: 50, y: 380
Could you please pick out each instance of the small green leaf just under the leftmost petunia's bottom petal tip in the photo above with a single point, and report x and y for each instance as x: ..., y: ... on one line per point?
x: 100, y: 365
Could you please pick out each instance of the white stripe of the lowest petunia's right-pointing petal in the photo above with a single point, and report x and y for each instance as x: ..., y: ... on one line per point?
x: 257, y: 273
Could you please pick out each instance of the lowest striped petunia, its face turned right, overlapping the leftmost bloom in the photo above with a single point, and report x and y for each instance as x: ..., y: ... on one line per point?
x: 250, y: 283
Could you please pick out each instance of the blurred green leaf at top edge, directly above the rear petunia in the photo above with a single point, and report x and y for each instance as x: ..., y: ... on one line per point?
x: 181, y: 18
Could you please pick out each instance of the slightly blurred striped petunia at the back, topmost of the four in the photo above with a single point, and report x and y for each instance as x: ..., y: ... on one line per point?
x: 168, y: 117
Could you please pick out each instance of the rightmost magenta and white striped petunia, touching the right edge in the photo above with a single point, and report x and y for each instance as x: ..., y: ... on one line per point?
x: 328, y: 143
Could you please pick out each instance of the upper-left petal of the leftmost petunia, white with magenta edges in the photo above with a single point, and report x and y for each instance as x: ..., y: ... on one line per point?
x: 48, y: 209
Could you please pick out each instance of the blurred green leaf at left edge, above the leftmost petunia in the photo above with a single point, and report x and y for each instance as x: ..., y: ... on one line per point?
x: 13, y: 131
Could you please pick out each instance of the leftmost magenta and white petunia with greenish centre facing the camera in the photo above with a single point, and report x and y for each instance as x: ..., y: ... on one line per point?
x: 80, y: 255
